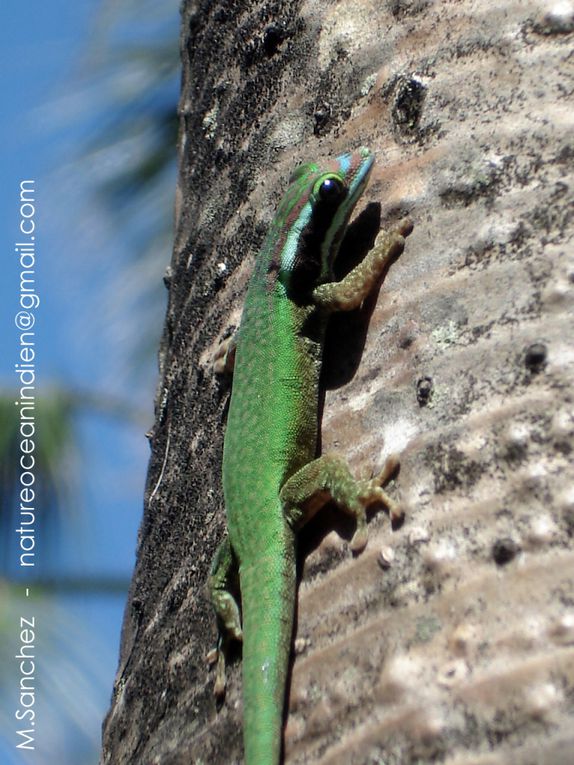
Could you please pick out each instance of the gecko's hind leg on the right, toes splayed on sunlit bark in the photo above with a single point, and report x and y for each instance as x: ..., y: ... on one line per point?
x: 329, y: 477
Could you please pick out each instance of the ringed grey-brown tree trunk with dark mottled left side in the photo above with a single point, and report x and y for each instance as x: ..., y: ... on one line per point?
x: 450, y: 639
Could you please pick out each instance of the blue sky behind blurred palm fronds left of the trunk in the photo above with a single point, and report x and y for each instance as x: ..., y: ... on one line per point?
x: 84, y: 339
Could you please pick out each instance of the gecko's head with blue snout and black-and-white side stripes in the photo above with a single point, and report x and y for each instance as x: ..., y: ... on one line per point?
x: 315, y: 212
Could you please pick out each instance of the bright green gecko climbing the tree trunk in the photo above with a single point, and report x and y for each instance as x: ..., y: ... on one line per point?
x: 273, y: 481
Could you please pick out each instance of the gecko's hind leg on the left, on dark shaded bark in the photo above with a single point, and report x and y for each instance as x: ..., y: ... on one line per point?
x: 223, y: 570
